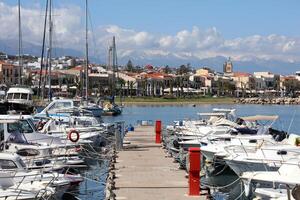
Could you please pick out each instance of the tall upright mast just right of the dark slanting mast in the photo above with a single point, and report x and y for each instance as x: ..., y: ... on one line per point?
x: 50, y: 49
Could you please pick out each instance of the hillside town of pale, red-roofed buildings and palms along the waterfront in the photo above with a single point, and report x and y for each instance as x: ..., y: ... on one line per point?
x: 155, y: 81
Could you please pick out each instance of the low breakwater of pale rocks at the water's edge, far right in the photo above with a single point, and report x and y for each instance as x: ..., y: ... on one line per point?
x: 258, y: 100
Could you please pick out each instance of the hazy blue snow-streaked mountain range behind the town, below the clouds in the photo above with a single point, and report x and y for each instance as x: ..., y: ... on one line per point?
x: 140, y: 58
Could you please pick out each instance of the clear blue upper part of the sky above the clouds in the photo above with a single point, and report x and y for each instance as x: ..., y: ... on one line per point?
x: 233, y: 18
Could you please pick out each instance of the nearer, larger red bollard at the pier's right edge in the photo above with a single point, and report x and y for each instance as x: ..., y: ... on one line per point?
x: 194, y: 173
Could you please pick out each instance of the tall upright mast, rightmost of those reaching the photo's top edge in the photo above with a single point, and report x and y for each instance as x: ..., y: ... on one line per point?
x: 86, y: 51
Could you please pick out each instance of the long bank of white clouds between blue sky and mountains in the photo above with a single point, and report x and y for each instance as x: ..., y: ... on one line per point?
x: 185, y: 44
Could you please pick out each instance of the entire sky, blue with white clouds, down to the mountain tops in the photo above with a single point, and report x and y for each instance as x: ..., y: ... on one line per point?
x: 175, y: 29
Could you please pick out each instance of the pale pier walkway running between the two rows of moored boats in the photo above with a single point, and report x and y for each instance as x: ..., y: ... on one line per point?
x: 144, y: 172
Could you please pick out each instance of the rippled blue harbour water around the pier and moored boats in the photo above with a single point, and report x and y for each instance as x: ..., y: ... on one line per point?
x: 96, y: 173
